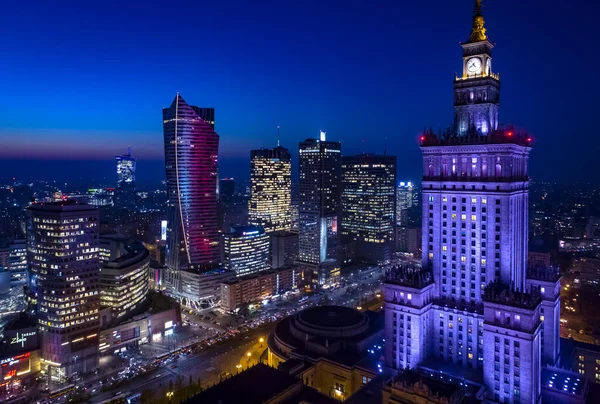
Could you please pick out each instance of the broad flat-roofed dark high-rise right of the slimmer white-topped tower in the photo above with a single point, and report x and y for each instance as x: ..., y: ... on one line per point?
x: 368, y: 206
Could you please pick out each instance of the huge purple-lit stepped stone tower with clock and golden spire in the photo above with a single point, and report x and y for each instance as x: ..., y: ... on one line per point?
x: 472, y: 305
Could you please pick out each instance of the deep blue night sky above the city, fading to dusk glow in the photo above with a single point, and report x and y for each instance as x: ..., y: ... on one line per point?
x: 82, y: 80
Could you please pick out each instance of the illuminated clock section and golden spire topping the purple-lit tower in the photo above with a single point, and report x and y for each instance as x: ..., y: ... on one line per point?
x: 477, y: 91
